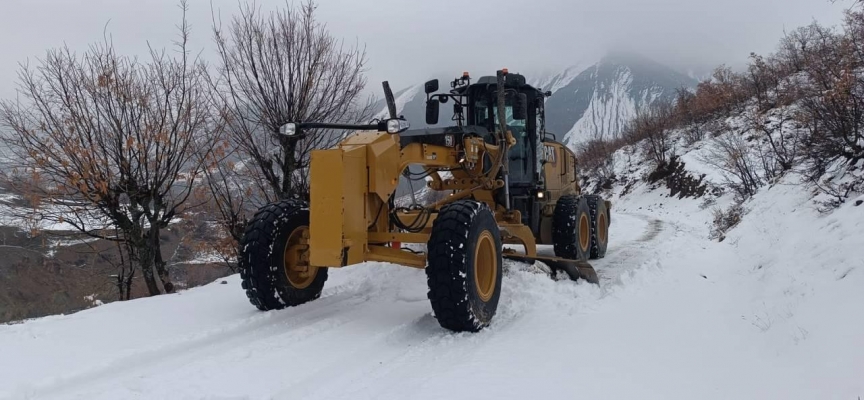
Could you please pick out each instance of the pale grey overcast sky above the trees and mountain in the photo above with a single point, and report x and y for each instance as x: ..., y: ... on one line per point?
x: 408, y: 41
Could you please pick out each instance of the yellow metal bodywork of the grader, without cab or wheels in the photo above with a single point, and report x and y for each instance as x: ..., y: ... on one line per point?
x: 352, y: 184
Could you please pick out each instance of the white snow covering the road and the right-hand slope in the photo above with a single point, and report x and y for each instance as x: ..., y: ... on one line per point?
x: 773, y: 311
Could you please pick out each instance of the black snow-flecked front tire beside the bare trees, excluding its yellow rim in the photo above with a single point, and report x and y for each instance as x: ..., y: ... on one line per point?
x: 262, y: 270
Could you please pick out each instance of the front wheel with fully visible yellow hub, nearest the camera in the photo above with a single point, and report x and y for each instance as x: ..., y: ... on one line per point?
x: 464, y: 273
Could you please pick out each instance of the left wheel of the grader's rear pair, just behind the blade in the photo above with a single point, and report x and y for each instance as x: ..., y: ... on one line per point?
x: 571, y: 228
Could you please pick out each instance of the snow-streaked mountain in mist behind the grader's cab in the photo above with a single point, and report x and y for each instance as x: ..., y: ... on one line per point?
x: 590, y: 99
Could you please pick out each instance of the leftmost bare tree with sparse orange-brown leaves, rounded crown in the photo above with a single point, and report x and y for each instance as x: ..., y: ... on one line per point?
x: 109, y: 142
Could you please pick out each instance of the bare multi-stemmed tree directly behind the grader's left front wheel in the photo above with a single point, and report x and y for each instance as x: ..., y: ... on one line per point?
x: 277, y: 68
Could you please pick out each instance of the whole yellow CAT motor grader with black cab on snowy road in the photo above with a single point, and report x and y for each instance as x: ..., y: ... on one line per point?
x: 502, y: 179
